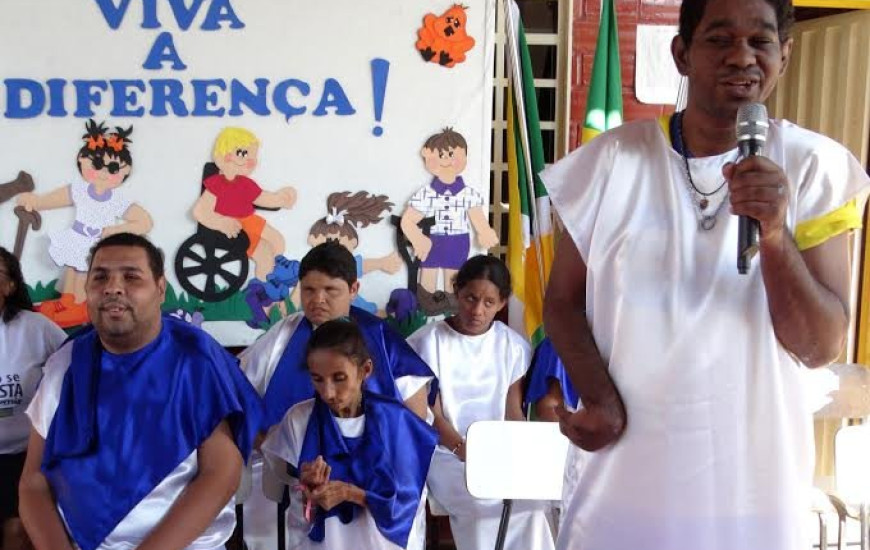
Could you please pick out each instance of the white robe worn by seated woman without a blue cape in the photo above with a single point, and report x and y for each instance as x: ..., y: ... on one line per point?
x: 474, y: 374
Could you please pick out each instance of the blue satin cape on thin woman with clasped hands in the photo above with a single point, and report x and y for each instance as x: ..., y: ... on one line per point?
x: 390, y: 462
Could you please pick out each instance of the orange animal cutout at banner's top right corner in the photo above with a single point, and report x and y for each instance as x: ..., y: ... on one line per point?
x: 443, y: 39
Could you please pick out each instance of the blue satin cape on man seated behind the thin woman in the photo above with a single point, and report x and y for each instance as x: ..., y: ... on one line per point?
x: 391, y: 355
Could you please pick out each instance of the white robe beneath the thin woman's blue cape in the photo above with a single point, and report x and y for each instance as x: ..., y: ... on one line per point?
x: 283, y: 446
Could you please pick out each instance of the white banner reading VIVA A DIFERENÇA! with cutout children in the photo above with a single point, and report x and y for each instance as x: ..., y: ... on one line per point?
x: 236, y: 134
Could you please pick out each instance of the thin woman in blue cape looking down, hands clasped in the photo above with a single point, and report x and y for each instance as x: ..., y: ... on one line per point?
x: 361, y: 458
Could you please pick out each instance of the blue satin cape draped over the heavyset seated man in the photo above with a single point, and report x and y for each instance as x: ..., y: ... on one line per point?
x: 125, y: 422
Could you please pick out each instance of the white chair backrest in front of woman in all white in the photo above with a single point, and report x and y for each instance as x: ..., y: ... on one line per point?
x: 515, y: 460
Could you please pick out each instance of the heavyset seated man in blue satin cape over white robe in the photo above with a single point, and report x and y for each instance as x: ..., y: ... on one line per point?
x: 141, y: 423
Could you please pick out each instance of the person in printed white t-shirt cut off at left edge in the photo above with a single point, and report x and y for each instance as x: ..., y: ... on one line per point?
x: 26, y: 340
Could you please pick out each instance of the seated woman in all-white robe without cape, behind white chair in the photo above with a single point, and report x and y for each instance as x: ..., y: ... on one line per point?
x: 480, y: 364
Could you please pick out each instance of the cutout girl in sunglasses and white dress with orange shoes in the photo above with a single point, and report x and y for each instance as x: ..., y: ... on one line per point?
x: 104, y: 163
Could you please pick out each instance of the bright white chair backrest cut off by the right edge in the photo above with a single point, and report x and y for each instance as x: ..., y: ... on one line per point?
x: 852, y: 449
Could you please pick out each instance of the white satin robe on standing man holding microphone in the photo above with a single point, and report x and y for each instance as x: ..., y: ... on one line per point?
x: 718, y: 448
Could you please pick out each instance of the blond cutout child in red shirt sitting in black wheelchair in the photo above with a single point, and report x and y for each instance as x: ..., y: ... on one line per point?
x: 229, y: 230
